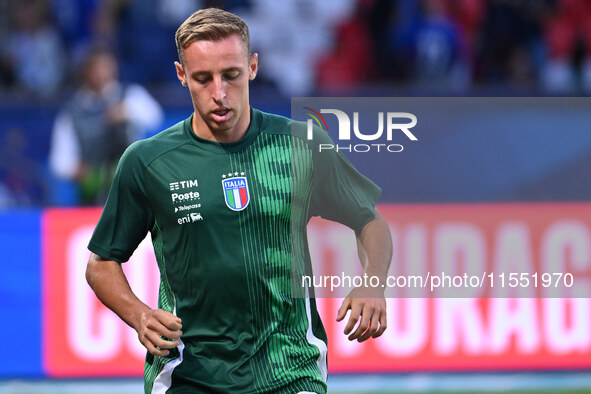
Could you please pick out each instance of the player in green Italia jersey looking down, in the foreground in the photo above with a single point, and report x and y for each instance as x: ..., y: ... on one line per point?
x: 226, y: 195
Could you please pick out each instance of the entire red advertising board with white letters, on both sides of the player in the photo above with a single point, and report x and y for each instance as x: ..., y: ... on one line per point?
x: 540, y: 327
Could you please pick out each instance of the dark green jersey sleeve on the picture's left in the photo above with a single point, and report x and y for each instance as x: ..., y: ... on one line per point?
x: 127, y: 217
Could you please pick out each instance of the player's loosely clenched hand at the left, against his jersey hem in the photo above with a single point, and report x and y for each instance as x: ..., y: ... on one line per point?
x: 155, y: 324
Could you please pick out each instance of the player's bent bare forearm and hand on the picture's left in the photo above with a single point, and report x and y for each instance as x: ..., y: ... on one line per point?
x: 110, y: 285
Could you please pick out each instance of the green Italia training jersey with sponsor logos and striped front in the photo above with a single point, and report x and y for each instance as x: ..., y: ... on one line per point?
x: 227, y: 222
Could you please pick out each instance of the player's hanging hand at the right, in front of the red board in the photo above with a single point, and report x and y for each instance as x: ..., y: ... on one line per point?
x: 372, y: 312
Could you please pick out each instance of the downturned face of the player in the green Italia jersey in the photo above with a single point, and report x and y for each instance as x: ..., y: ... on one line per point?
x: 217, y: 75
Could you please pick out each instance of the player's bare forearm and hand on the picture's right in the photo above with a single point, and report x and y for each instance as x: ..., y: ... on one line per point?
x: 374, y: 246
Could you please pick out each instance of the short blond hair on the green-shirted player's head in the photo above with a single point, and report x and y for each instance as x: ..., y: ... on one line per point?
x: 210, y: 24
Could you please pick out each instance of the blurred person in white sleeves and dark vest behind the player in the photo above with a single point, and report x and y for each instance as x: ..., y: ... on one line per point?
x: 93, y: 128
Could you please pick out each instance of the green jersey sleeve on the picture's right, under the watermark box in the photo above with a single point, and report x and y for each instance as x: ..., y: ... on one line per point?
x: 340, y: 193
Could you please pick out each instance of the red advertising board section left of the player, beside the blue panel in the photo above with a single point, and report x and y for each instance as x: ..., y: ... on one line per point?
x: 81, y: 337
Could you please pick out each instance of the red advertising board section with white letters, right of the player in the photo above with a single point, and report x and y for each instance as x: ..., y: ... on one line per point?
x: 488, y: 331
